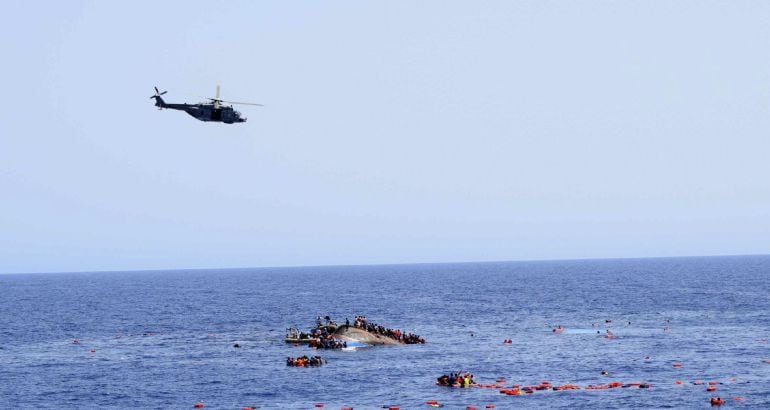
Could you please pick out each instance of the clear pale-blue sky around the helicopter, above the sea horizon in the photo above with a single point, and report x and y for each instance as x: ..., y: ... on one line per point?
x: 392, y: 132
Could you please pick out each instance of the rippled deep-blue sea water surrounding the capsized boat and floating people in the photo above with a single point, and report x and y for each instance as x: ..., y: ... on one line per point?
x: 165, y: 339
